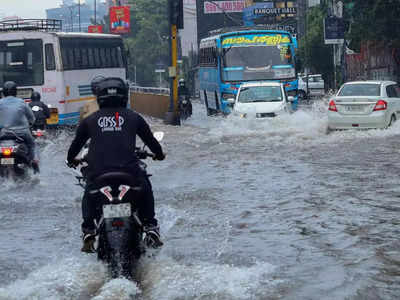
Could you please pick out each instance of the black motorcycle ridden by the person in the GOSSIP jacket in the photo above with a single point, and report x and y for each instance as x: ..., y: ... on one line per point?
x: 120, y: 237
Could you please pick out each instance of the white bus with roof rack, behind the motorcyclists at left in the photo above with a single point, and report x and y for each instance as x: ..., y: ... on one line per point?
x: 59, y: 65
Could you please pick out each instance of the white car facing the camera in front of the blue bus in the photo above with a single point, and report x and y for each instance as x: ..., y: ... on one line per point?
x: 261, y: 100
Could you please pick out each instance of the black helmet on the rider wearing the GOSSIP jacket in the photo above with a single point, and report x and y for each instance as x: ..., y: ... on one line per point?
x: 112, y: 92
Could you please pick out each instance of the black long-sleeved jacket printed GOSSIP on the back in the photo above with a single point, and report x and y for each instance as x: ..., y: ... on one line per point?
x: 112, y: 133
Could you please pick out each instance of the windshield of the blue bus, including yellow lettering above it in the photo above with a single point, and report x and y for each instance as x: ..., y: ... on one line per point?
x: 257, y: 57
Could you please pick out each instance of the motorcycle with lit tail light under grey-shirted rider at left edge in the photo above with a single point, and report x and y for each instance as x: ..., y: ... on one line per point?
x: 14, y: 158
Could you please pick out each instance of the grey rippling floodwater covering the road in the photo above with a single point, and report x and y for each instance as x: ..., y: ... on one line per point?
x: 249, y: 209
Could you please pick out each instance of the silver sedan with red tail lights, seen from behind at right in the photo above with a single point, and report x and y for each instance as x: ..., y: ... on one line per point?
x: 364, y: 105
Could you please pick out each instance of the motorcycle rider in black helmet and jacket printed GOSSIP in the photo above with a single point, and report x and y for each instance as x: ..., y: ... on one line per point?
x: 112, y: 132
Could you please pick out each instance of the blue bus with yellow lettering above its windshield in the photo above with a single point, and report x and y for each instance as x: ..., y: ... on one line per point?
x: 228, y: 59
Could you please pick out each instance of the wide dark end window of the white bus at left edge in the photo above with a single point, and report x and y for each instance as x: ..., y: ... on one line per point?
x: 21, y: 61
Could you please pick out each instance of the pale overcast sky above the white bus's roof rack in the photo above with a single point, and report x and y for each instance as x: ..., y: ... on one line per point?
x: 32, y: 9
